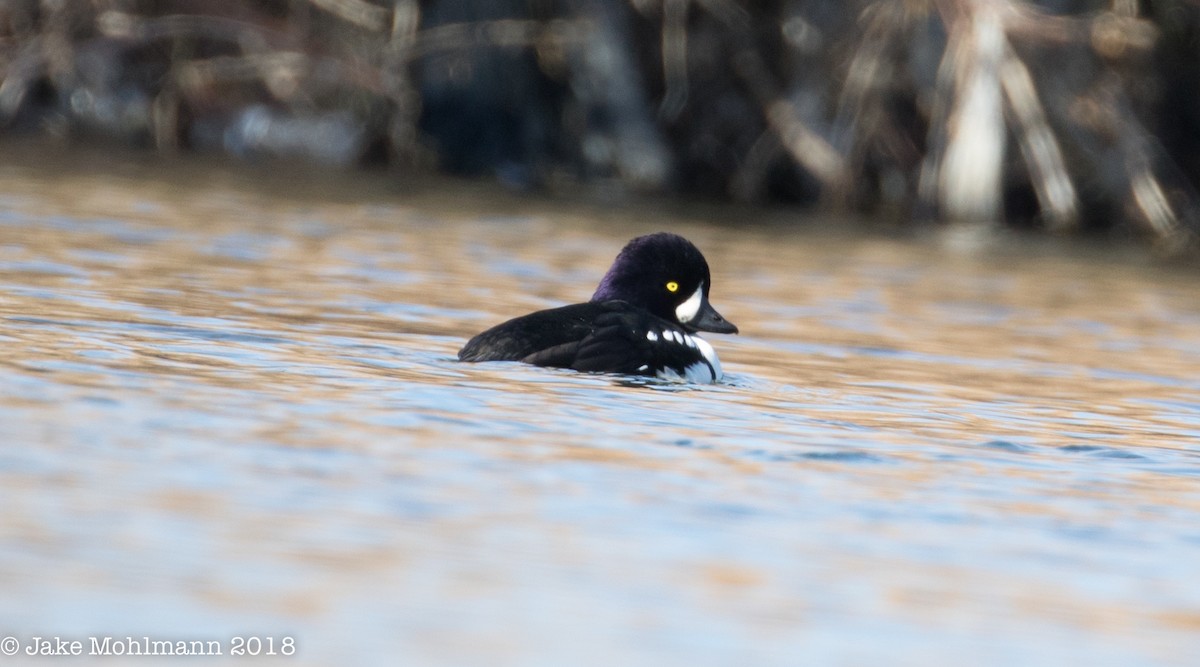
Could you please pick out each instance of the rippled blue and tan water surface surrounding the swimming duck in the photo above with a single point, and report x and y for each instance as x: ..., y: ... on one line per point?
x: 233, y: 410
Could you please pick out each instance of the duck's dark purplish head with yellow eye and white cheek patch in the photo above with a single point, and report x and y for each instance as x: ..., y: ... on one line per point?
x: 667, y: 275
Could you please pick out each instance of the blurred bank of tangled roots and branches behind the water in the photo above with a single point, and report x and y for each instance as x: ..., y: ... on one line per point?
x: 1072, y: 117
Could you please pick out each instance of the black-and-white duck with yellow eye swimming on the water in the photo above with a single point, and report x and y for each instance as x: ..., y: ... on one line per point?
x: 643, y: 320
